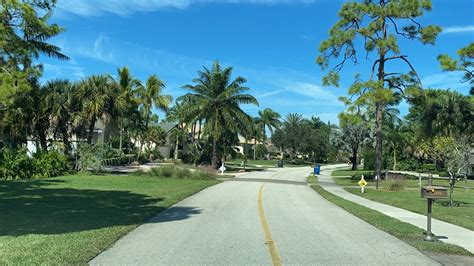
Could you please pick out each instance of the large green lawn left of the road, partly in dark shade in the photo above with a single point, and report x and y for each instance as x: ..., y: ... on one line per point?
x: 70, y: 219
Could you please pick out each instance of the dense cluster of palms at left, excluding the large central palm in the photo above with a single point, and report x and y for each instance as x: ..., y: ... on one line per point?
x: 60, y: 108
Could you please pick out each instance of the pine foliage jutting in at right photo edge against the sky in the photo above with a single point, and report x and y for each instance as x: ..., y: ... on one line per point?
x: 465, y: 63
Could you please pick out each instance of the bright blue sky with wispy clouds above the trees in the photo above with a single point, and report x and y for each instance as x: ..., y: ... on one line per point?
x: 272, y: 43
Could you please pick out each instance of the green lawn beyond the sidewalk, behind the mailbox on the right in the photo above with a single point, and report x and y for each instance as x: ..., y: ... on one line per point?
x: 410, y: 199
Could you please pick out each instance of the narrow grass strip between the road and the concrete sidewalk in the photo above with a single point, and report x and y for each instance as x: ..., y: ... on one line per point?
x: 408, y: 233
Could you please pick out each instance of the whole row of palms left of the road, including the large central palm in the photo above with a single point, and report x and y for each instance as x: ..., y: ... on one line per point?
x: 211, y: 111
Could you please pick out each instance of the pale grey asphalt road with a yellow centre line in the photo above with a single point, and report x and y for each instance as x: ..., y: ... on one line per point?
x: 261, y: 218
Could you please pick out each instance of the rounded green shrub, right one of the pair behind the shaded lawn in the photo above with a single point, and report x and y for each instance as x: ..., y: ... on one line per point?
x: 50, y: 164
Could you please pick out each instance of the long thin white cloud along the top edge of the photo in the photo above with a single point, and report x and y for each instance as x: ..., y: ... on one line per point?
x: 124, y: 7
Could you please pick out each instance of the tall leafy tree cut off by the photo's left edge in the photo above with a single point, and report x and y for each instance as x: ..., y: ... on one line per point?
x: 24, y: 32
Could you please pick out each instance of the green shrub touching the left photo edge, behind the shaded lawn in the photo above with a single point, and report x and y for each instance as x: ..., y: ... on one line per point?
x: 15, y: 164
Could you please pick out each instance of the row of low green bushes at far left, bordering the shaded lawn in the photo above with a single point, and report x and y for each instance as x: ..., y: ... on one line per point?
x: 16, y: 164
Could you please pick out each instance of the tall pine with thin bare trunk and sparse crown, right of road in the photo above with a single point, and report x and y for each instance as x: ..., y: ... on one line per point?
x: 378, y: 25
